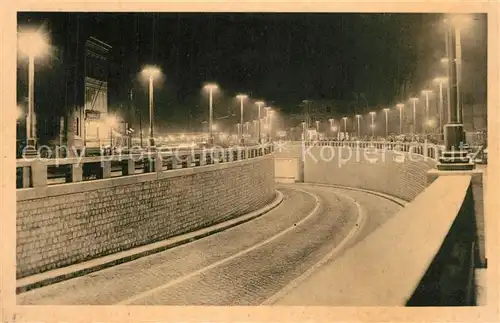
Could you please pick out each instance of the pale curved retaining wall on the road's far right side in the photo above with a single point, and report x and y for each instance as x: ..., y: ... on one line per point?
x: 399, y: 174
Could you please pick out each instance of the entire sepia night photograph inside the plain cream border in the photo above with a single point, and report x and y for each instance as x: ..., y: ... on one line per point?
x: 288, y: 159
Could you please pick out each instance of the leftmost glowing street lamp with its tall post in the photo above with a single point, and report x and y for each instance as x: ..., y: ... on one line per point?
x: 32, y: 44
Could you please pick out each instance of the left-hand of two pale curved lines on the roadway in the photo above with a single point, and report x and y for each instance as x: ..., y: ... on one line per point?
x: 222, y: 261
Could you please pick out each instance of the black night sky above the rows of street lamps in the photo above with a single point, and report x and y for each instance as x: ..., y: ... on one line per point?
x: 284, y: 58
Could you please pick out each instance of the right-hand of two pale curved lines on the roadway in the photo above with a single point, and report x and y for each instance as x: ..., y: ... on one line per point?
x: 360, y: 221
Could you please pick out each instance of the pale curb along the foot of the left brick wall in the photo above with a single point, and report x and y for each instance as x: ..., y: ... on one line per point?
x: 58, y: 275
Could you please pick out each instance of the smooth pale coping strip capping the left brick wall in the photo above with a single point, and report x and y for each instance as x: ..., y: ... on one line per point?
x: 69, y: 188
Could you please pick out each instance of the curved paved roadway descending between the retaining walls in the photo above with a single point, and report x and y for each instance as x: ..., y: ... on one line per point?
x: 249, y: 264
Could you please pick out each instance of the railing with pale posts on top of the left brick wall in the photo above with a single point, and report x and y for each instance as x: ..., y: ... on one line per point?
x: 40, y: 172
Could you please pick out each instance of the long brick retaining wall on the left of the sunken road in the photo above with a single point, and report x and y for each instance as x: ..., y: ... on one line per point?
x: 65, y: 224
